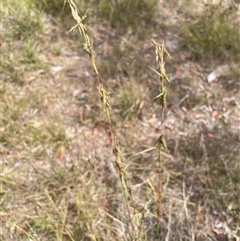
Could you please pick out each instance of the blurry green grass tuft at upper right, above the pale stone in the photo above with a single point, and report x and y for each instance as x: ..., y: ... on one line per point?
x: 214, y: 34
